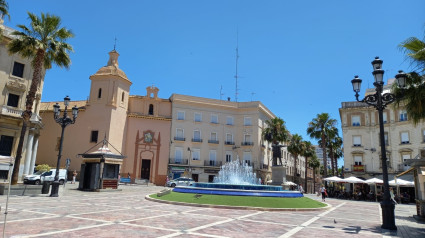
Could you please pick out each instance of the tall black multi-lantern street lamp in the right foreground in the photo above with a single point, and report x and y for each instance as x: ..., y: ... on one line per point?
x: 380, y: 101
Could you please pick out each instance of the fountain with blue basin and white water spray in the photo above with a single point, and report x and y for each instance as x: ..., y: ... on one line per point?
x: 236, y: 178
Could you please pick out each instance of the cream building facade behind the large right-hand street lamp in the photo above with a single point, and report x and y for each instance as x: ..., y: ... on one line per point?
x: 362, y: 148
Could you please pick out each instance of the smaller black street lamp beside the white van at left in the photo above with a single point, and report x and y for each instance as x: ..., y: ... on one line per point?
x: 63, y: 121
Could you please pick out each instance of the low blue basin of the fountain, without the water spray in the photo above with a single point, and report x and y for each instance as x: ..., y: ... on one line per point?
x: 226, y: 189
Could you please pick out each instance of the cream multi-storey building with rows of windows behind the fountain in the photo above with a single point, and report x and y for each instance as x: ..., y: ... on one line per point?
x: 207, y: 133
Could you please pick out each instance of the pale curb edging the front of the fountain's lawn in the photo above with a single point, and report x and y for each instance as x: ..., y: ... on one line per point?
x: 147, y: 197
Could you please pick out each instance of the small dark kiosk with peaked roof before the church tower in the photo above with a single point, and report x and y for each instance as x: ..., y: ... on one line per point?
x: 100, y: 169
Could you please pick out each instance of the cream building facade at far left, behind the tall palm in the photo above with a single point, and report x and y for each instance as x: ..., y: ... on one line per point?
x: 15, y: 81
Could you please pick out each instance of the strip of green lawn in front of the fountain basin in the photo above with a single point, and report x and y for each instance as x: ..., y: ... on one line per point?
x: 267, y: 202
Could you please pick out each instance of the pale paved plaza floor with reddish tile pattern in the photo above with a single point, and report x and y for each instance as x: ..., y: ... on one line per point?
x: 126, y: 213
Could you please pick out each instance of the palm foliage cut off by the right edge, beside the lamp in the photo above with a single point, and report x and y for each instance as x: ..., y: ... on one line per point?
x: 412, y: 98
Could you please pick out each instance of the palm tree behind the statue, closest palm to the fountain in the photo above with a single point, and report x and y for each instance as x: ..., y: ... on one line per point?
x: 275, y: 132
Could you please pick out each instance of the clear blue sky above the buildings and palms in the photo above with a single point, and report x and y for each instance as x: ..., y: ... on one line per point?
x: 297, y: 57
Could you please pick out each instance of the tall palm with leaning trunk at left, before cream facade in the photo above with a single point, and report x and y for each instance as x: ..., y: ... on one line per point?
x: 45, y: 43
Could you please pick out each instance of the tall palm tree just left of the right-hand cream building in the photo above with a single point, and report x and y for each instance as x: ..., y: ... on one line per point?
x: 319, y: 128
